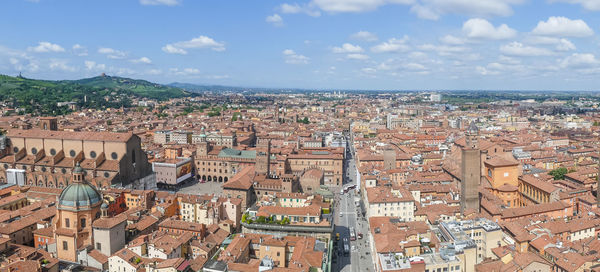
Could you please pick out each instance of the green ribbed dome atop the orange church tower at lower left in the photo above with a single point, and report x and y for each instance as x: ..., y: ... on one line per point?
x: 79, y: 196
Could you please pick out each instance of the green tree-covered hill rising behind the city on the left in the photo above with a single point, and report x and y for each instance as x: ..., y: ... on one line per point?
x: 41, y: 96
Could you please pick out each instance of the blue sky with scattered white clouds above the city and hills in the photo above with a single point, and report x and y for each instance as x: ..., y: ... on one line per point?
x: 314, y: 44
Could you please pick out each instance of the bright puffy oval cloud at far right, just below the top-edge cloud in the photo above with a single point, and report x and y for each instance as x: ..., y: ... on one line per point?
x: 563, y: 27
